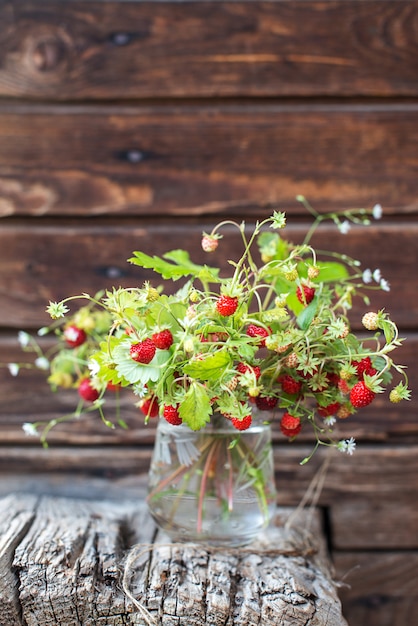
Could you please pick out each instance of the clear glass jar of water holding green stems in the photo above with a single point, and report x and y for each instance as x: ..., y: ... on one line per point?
x: 215, y: 485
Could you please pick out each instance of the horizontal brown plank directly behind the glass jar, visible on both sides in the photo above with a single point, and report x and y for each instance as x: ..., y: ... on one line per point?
x: 375, y: 472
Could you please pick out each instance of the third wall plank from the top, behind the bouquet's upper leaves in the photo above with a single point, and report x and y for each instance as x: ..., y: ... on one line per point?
x: 85, y: 257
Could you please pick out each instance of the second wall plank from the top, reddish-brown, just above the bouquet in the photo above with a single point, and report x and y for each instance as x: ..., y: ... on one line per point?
x: 196, y: 159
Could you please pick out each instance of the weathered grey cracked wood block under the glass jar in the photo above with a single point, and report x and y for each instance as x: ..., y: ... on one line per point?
x: 75, y: 562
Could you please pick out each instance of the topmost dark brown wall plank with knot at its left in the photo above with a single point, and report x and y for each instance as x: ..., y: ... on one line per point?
x: 109, y: 50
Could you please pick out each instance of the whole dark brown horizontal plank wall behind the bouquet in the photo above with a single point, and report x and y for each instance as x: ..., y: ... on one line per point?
x: 137, y: 124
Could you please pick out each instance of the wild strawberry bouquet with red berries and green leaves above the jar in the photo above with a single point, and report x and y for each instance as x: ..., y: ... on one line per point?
x: 274, y: 334
